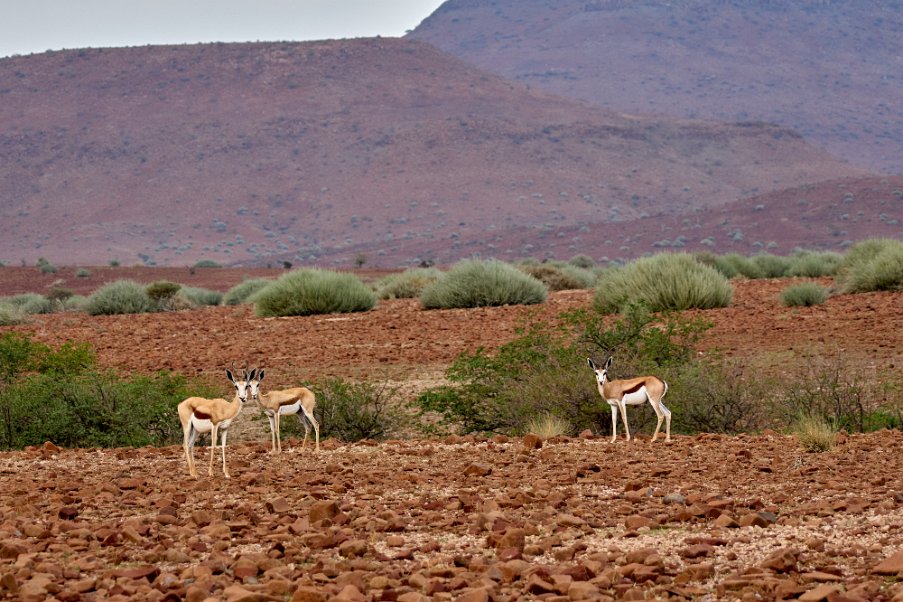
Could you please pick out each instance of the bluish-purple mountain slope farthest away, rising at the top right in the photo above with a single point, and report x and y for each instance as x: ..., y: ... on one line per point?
x: 829, y: 69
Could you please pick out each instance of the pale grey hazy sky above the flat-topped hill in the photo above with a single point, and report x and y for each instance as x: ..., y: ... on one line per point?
x: 28, y: 26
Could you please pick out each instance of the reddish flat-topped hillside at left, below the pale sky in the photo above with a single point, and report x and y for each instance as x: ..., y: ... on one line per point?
x: 318, y: 152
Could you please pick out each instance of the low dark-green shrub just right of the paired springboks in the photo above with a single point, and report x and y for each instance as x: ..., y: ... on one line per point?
x: 354, y: 411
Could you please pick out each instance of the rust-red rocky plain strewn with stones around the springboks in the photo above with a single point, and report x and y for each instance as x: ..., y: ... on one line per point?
x: 706, y: 517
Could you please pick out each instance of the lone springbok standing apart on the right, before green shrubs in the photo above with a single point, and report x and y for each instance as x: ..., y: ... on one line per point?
x: 632, y: 391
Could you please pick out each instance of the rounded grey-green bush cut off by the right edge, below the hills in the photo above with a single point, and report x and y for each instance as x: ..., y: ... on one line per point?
x: 872, y: 265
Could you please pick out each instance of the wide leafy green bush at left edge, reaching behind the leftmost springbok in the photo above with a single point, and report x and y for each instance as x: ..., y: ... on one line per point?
x: 60, y: 396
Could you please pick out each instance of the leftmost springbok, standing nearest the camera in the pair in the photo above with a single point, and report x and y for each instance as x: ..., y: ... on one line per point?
x: 200, y: 415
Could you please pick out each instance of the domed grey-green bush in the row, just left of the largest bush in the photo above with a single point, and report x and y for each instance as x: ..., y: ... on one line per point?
x: 476, y: 283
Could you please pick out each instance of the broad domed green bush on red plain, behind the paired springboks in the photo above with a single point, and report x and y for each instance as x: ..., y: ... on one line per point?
x: 312, y: 291
